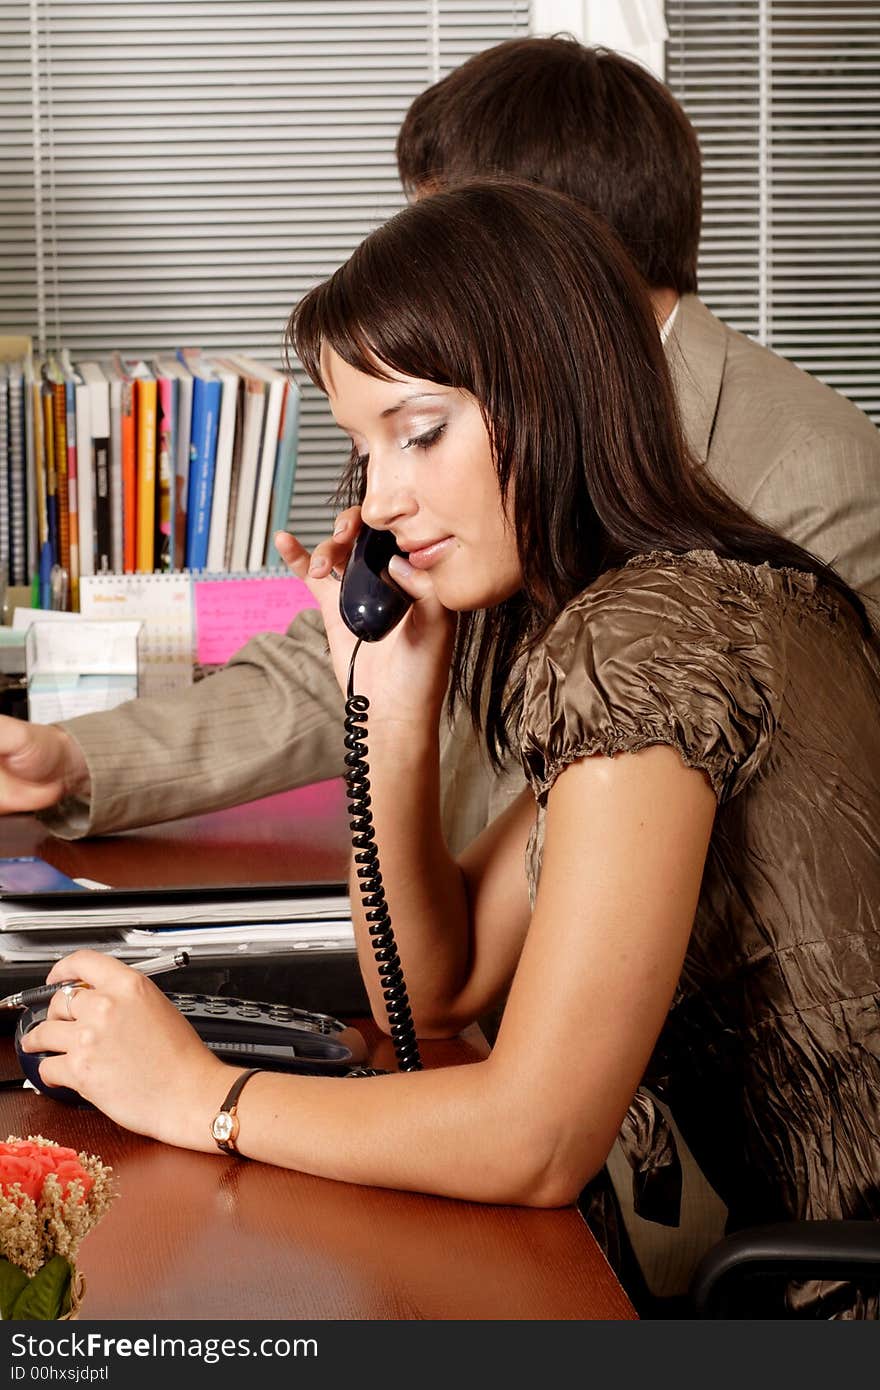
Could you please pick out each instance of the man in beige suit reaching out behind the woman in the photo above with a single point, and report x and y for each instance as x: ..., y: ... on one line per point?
x: 797, y: 454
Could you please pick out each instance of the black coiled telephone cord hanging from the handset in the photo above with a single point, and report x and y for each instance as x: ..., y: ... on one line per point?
x: 370, y: 881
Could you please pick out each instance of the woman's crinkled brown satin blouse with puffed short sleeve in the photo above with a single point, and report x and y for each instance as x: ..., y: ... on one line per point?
x: 769, y: 1060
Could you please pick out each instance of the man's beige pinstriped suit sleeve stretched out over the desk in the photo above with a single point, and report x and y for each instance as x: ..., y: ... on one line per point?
x: 270, y: 721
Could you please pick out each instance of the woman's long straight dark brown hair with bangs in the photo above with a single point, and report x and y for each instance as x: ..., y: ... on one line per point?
x: 525, y: 300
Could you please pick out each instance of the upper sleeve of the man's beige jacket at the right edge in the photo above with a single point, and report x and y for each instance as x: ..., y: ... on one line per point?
x: 825, y: 494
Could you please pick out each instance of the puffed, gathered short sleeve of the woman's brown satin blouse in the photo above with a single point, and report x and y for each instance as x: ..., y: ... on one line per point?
x: 662, y: 651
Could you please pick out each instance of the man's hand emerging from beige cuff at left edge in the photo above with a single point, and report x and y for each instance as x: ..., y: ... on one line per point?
x: 40, y: 765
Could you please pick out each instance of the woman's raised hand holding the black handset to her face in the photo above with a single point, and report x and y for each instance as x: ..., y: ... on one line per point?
x: 407, y: 673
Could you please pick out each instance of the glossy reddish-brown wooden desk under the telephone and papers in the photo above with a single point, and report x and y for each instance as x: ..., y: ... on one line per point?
x: 211, y: 1238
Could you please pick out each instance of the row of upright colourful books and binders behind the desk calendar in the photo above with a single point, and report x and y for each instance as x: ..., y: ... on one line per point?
x: 140, y: 466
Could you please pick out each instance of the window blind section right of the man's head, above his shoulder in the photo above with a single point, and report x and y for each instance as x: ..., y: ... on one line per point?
x: 786, y: 98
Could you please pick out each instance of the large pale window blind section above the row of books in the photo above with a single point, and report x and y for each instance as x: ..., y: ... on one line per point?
x: 181, y: 173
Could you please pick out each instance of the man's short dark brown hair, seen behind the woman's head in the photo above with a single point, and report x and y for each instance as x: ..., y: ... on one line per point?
x: 580, y: 120
